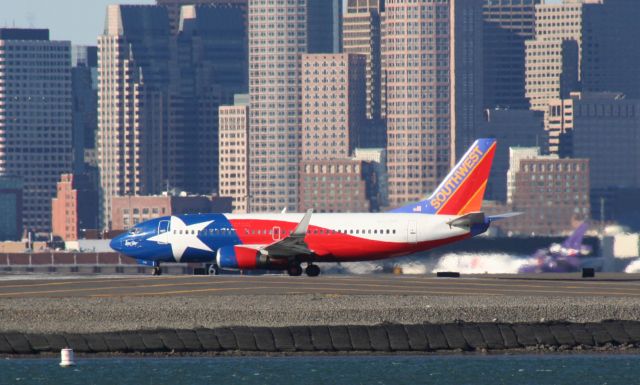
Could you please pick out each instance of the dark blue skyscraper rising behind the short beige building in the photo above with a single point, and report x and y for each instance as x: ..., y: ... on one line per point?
x: 209, y: 66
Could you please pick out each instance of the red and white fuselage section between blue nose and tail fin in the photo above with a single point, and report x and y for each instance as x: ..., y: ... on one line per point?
x: 352, y: 237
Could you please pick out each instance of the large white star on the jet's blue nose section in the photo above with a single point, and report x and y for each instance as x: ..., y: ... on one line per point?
x: 182, y: 236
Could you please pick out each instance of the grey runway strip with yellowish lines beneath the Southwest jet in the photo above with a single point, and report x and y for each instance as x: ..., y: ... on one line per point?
x: 565, y: 285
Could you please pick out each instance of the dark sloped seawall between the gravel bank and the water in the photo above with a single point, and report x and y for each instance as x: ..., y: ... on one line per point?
x: 383, y: 338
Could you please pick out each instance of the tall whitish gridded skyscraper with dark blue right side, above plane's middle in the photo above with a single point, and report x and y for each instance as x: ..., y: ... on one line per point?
x: 279, y: 32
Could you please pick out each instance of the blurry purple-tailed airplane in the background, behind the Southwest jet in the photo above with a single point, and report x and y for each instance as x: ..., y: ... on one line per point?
x: 561, y: 258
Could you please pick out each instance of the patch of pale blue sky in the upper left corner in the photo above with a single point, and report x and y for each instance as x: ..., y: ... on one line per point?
x: 80, y: 21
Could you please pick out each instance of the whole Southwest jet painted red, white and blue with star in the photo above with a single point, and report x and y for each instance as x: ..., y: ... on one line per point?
x: 286, y: 241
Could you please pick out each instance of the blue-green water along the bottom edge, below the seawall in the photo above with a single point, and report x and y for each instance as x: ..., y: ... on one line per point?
x: 310, y: 370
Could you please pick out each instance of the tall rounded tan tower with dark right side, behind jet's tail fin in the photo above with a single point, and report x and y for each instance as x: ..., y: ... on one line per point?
x: 433, y: 98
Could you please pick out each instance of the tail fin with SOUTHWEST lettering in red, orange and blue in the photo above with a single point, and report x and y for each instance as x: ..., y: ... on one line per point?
x: 462, y: 191
